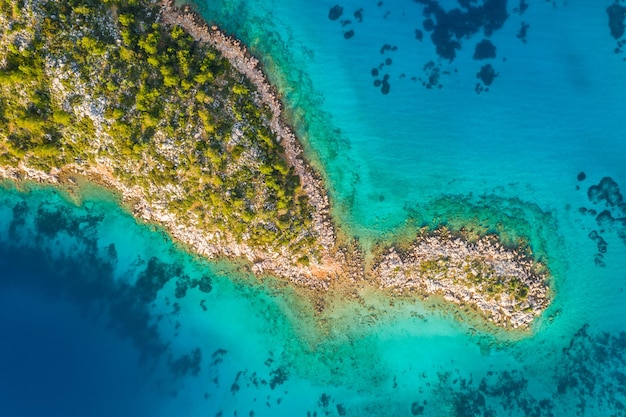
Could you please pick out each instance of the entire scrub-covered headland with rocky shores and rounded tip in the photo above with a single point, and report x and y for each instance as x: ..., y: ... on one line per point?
x: 179, y: 119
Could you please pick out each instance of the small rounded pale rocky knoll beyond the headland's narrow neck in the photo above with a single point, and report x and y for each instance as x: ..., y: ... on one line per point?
x: 484, y: 274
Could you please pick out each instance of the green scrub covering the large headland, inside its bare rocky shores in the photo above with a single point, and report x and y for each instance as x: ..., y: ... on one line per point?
x: 101, y: 84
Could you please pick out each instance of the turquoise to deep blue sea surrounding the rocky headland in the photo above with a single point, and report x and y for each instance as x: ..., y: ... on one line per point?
x: 499, y: 116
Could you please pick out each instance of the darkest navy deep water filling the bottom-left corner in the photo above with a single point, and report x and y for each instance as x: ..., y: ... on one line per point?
x: 56, y: 362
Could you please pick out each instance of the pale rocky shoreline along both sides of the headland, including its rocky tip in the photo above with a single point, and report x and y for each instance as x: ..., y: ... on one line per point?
x: 435, y: 263
